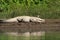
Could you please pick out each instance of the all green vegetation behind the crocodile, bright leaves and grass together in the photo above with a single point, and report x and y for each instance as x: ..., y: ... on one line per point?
x: 43, y: 8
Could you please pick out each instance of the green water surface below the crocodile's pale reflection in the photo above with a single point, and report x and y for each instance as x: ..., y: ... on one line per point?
x: 48, y: 36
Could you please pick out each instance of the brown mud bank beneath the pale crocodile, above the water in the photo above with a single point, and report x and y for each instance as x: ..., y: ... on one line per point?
x: 49, y: 25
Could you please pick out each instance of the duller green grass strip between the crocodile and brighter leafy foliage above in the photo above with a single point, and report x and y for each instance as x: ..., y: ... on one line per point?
x: 42, y: 12
